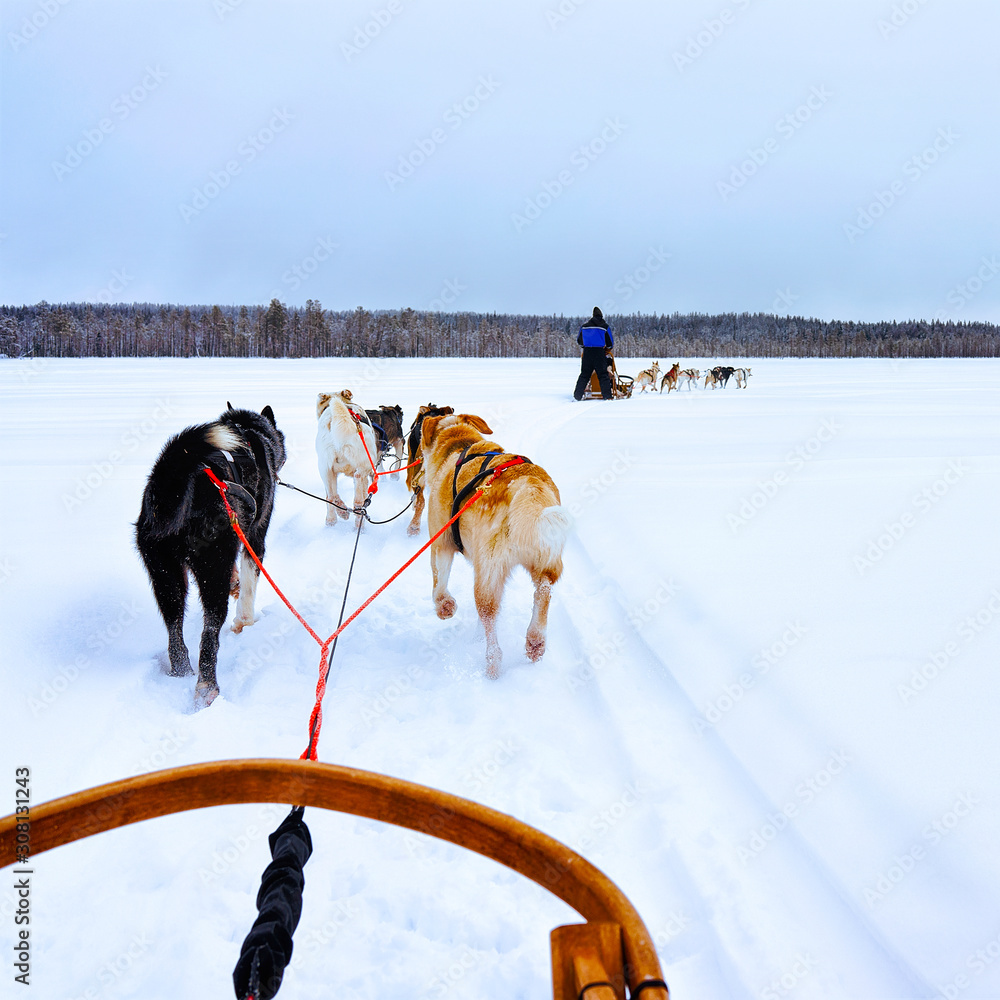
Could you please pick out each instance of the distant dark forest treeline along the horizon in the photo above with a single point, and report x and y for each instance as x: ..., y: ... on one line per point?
x: 84, y: 330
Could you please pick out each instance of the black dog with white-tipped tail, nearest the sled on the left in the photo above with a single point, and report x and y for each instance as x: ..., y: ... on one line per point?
x: 183, y: 526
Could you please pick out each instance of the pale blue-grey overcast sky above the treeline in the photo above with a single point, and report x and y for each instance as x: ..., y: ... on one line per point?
x: 830, y: 158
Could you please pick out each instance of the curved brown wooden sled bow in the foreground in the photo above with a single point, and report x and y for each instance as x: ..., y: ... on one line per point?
x: 591, y: 961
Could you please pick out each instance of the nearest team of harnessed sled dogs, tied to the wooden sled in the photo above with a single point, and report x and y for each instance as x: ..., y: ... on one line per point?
x: 183, y: 527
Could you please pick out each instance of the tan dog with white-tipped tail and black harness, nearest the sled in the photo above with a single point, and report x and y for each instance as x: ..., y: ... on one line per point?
x: 517, y: 522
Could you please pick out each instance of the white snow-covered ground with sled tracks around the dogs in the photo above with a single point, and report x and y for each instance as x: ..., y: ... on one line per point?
x: 768, y: 709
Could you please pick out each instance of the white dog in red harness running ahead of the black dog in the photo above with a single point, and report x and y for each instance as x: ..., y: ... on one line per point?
x: 340, y: 451
